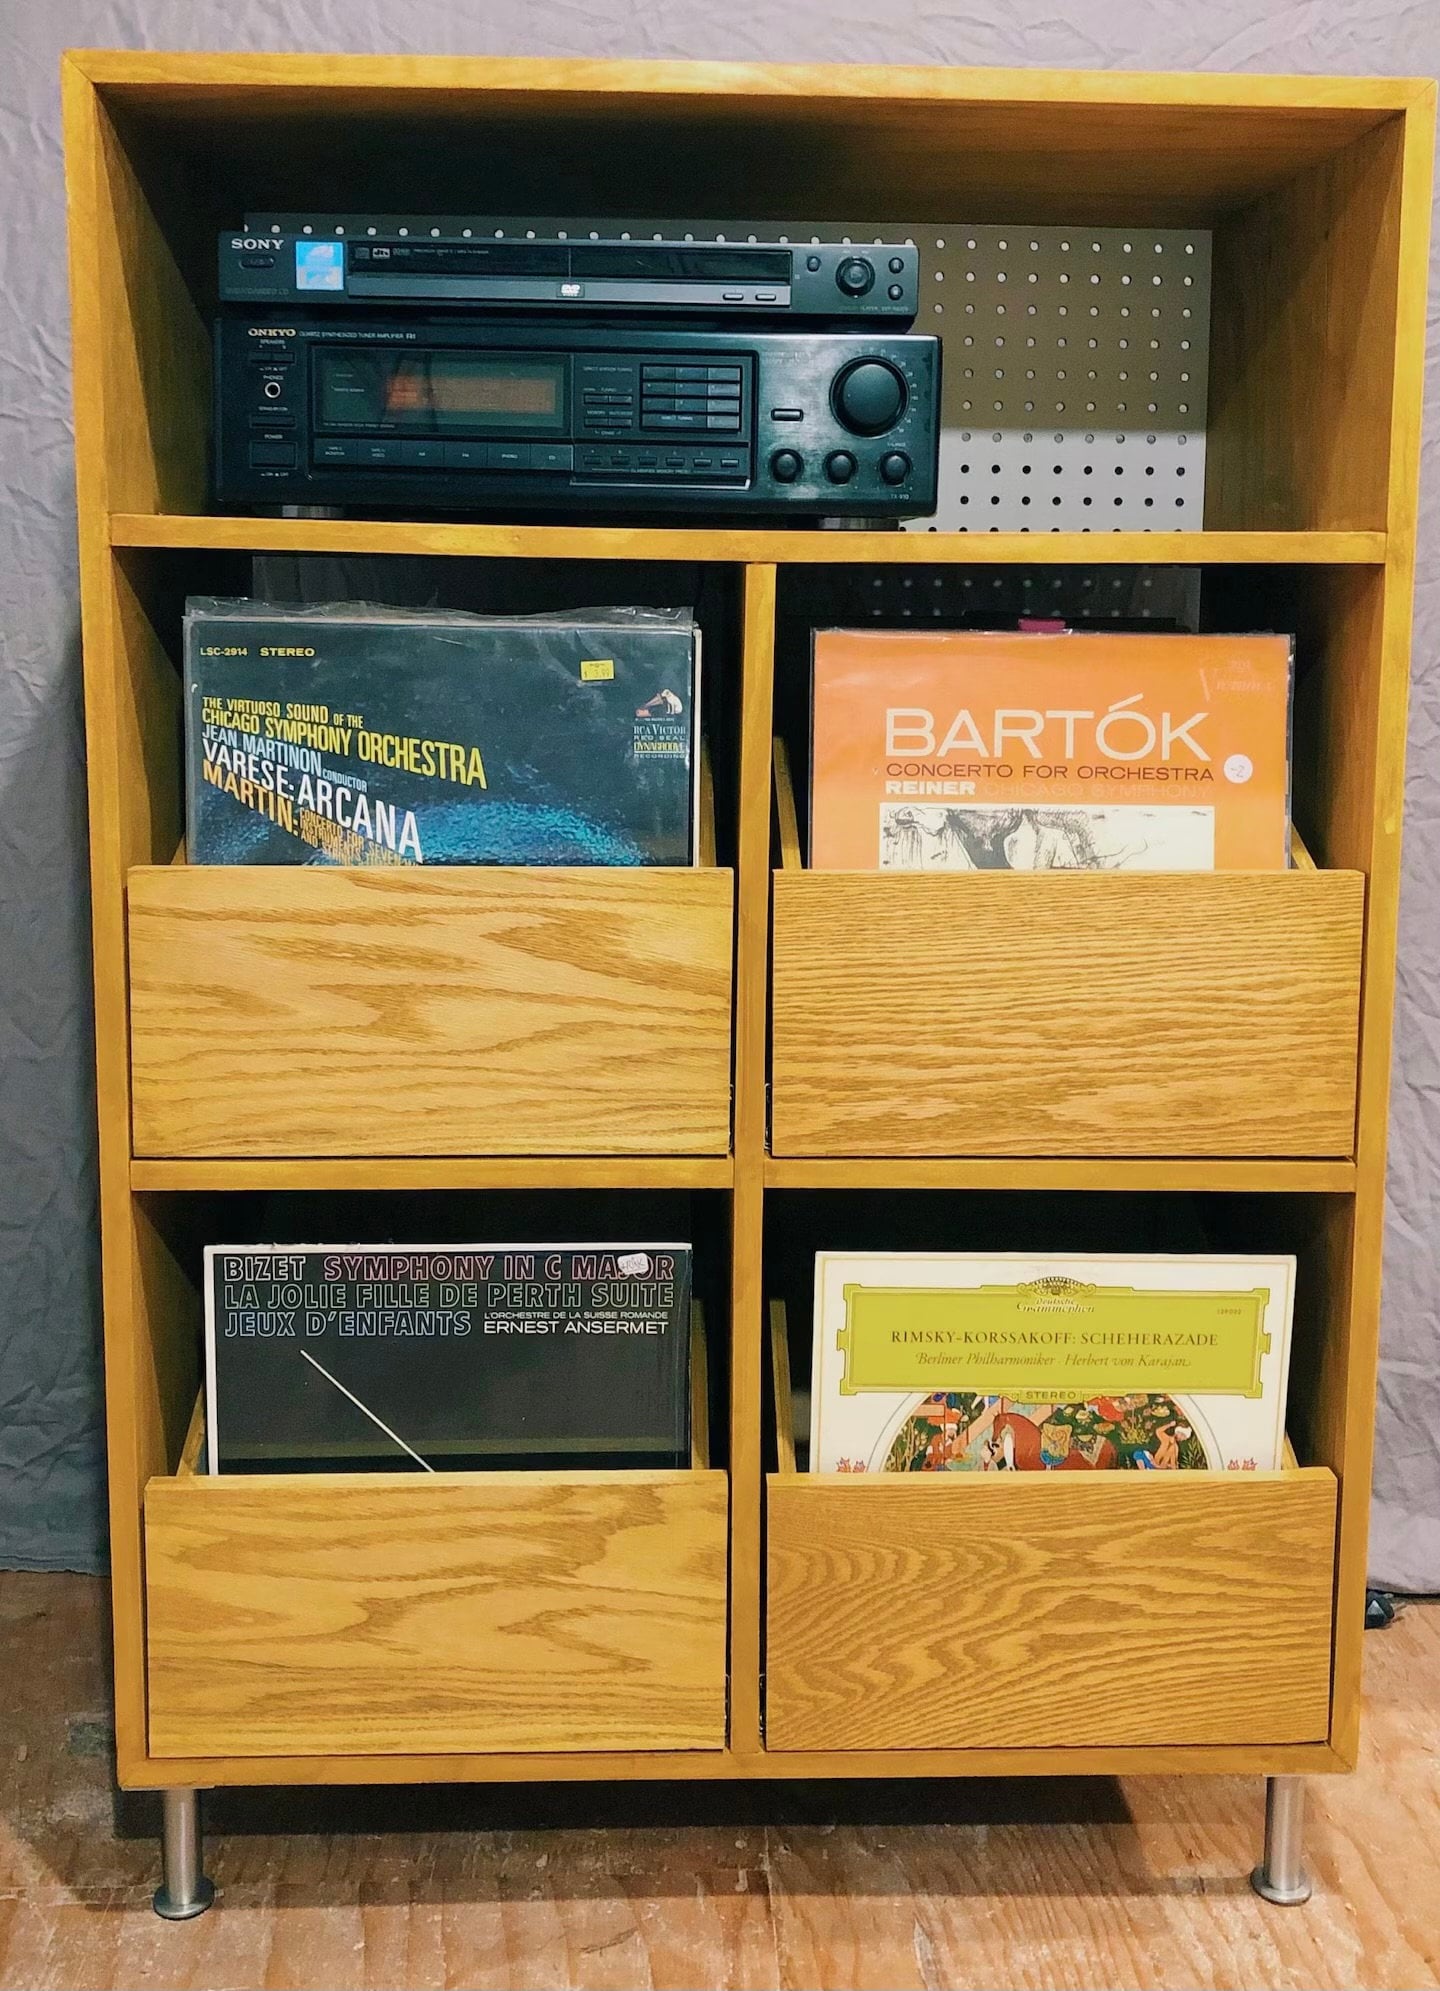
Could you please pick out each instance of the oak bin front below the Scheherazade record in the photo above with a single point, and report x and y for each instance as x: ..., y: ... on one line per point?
x: 1007, y: 1612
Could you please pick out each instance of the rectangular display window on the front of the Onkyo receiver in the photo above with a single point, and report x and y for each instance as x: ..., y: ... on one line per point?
x: 431, y: 393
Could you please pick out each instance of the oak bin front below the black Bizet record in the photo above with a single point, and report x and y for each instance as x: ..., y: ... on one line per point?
x: 342, y: 1616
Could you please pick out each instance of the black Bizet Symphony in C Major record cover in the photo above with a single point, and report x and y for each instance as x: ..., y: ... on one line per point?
x: 447, y: 1357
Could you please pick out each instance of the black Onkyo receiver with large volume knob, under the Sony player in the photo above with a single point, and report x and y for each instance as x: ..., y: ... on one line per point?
x: 481, y: 411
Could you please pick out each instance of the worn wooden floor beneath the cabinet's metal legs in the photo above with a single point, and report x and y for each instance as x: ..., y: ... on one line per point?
x: 895, y: 1886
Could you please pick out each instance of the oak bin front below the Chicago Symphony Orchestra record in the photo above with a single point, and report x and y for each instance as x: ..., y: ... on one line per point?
x: 429, y: 1012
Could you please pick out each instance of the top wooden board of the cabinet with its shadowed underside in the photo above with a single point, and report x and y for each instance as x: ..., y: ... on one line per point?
x: 1003, y: 144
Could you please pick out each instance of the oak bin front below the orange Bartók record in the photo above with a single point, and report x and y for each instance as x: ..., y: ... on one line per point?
x: 1067, y: 1014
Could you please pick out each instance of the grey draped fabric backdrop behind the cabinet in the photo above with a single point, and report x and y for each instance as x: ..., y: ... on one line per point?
x: 51, y: 1409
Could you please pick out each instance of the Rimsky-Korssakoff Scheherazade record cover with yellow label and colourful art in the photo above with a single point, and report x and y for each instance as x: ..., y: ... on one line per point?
x: 1017, y: 1363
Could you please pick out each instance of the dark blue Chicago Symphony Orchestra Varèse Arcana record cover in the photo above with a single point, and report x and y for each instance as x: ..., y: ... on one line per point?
x: 365, y: 736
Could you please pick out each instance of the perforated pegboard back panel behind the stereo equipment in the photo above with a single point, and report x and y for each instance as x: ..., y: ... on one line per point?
x: 1075, y: 359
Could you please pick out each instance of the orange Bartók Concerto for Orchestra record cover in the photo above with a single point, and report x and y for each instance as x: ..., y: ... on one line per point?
x: 957, y: 750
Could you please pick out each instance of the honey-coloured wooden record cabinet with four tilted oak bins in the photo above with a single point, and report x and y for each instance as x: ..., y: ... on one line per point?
x: 1278, y: 989
